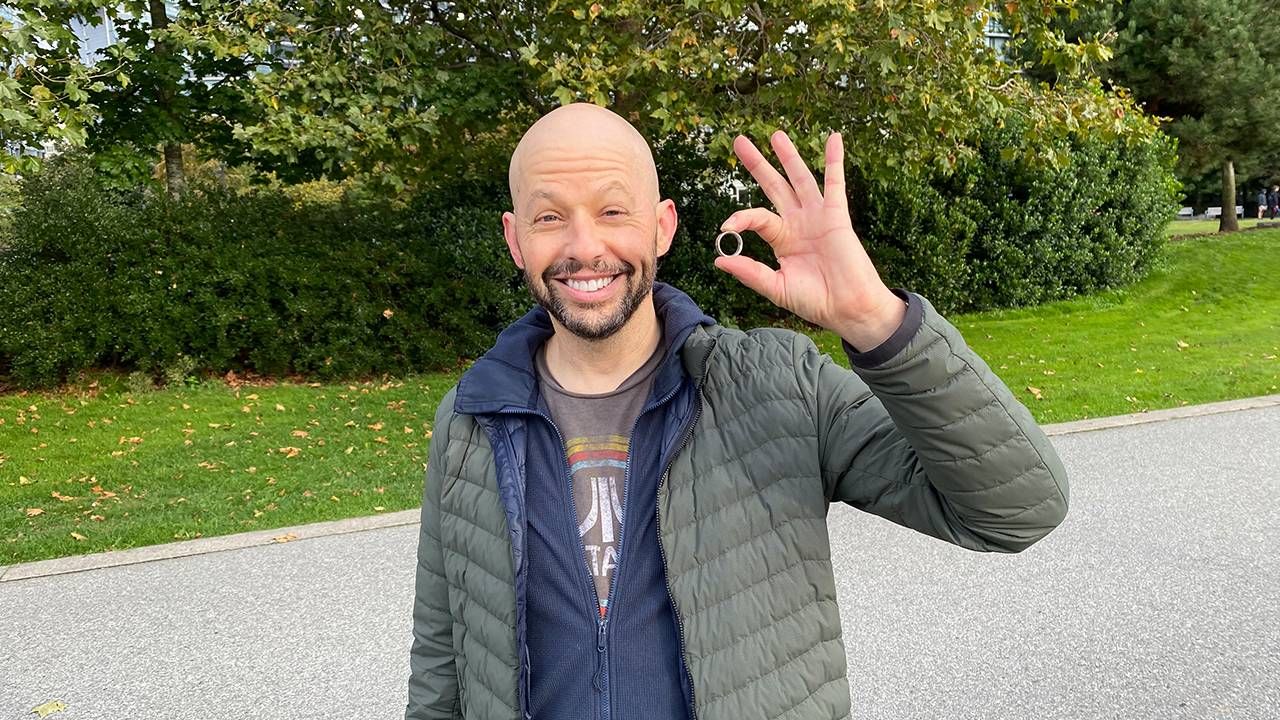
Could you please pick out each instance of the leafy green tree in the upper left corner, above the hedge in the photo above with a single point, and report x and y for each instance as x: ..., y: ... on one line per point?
x: 175, y: 74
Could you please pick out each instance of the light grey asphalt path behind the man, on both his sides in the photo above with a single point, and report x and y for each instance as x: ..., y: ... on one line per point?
x: 1158, y: 599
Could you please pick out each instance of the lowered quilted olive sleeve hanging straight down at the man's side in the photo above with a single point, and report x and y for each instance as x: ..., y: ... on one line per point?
x: 433, y: 683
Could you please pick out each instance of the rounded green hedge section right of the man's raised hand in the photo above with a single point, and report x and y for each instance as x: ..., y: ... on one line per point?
x: 1002, y: 233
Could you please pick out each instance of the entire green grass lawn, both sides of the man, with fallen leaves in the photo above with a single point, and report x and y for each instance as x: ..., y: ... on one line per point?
x: 97, y: 467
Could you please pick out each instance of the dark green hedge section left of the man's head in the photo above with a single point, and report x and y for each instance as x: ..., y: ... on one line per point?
x: 244, y: 281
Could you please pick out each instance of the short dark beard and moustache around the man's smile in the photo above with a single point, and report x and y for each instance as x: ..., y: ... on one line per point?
x: 637, y: 290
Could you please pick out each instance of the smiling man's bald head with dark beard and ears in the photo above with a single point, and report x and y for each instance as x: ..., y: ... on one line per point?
x: 588, y: 224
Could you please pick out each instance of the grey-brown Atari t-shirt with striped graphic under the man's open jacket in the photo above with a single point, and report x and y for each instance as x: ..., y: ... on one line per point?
x: 597, y: 431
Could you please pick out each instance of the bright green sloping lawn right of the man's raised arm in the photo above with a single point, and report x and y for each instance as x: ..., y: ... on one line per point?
x: 1203, y: 327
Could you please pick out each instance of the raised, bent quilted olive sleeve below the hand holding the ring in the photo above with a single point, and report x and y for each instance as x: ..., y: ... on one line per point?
x: 929, y: 438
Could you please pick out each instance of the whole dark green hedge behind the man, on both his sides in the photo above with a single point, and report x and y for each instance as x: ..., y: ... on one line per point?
x: 299, y: 282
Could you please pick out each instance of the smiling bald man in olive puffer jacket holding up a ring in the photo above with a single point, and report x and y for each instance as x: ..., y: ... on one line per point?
x: 625, y: 505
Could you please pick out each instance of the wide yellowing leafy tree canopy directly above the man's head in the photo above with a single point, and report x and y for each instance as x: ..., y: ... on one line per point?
x: 422, y: 90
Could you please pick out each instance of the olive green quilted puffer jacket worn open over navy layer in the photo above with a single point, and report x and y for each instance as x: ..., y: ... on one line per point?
x: 930, y: 439
